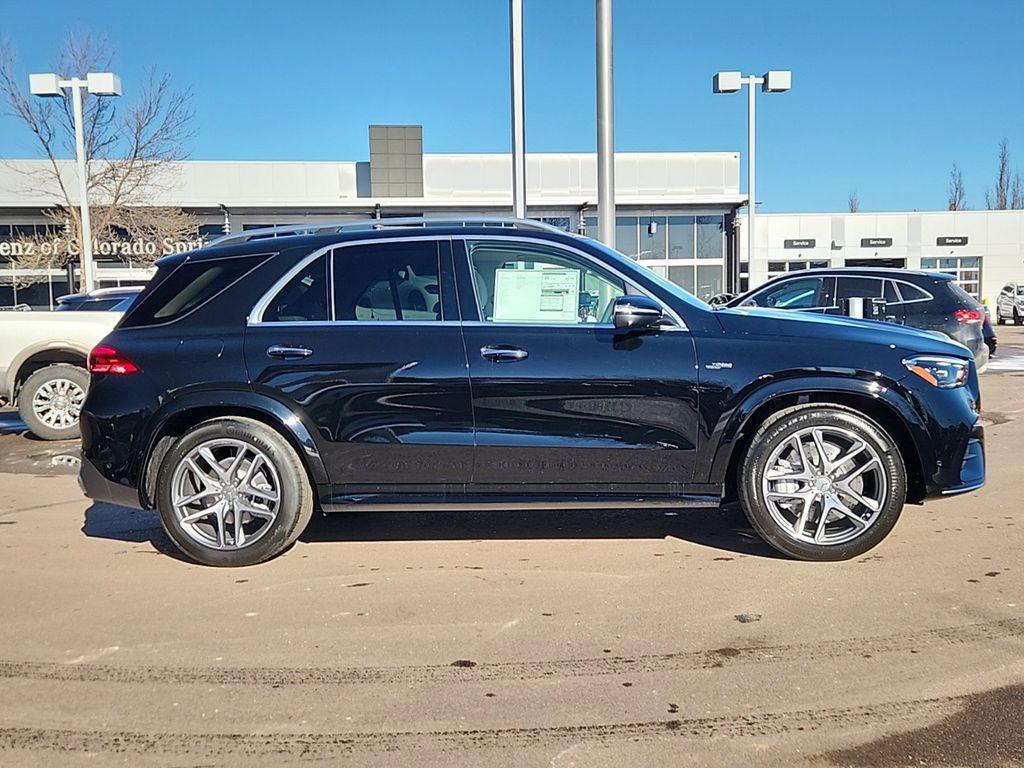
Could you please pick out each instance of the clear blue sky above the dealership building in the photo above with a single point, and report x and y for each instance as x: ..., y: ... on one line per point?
x: 887, y: 96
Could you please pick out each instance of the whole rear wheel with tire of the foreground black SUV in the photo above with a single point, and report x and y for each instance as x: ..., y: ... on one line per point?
x: 270, y: 493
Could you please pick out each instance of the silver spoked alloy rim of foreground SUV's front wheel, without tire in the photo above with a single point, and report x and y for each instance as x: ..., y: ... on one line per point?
x: 825, y: 486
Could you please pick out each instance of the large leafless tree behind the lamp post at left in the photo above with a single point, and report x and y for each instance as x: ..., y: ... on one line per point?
x: 132, y: 149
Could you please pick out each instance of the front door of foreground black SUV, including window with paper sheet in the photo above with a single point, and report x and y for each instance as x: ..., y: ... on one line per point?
x: 573, y: 408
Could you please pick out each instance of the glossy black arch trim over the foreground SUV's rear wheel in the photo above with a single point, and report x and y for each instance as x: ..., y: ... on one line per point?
x: 187, y: 414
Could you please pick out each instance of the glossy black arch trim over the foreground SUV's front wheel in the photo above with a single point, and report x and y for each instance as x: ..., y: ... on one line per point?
x: 894, y: 416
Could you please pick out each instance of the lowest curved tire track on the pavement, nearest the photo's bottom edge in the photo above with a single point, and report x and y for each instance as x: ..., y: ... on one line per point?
x: 326, y: 746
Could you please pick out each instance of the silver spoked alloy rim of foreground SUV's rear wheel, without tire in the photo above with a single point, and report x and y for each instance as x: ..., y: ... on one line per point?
x: 226, y: 494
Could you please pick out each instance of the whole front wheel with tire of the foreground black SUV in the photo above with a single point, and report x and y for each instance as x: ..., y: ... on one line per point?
x: 773, y: 463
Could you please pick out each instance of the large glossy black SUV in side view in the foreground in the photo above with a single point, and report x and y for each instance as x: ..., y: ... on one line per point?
x: 418, y: 365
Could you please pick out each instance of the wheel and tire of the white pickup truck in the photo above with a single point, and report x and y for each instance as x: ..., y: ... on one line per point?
x: 51, y: 401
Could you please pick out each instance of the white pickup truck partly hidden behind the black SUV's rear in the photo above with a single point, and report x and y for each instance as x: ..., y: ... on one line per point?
x: 44, y: 366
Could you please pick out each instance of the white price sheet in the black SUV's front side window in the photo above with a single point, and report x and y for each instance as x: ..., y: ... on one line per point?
x: 537, y: 296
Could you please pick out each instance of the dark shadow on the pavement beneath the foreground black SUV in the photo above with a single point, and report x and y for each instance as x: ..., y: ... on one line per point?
x: 724, y: 530
